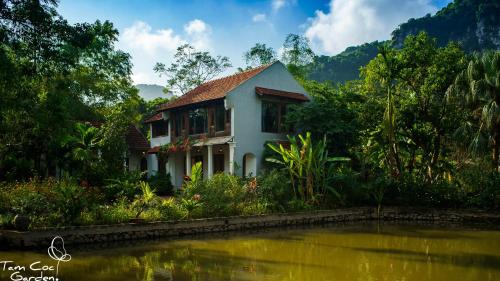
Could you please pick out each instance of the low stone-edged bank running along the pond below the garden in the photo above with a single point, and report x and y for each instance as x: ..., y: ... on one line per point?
x: 42, y: 237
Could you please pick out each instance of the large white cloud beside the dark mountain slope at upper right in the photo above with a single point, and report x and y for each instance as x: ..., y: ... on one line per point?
x: 354, y: 22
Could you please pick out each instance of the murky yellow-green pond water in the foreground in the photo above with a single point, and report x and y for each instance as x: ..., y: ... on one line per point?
x: 363, y: 252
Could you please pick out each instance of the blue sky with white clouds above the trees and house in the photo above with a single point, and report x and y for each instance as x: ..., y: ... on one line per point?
x: 151, y: 30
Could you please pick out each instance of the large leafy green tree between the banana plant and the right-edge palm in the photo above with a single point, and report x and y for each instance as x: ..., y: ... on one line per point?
x: 407, y: 88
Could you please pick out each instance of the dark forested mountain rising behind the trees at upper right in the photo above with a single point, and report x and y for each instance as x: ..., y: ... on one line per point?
x: 473, y: 23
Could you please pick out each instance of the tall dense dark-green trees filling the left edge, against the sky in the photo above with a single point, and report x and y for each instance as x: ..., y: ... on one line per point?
x: 52, y: 75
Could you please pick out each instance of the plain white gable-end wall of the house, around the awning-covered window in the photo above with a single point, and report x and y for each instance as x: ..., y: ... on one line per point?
x: 247, y: 105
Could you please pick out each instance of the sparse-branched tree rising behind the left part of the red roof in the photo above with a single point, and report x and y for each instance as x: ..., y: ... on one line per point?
x: 191, y: 68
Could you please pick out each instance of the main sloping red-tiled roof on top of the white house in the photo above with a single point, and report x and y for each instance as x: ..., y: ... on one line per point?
x: 212, y: 90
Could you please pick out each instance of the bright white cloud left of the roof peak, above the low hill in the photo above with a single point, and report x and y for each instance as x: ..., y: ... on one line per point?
x: 148, y: 46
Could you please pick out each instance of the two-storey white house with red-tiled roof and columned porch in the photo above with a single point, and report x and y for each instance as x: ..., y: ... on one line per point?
x: 223, y: 123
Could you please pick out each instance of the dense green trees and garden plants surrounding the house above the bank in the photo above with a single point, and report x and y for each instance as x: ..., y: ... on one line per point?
x: 419, y: 127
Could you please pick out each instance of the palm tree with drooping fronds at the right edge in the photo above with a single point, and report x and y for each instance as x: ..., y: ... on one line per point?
x: 479, y: 85
